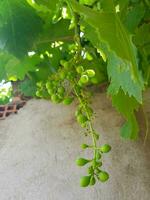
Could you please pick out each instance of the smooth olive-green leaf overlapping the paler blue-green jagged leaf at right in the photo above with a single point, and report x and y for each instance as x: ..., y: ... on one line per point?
x: 111, y: 31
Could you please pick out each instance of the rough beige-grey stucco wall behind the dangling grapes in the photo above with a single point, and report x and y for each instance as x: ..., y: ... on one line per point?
x: 39, y: 145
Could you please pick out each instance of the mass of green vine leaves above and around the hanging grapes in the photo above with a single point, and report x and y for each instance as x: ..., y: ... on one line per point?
x: 115, y: 38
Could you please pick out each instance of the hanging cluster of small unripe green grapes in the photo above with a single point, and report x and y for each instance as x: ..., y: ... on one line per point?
x: 70, y: 81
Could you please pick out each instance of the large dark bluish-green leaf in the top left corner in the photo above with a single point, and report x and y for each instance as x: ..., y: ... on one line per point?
x: 20, y: 27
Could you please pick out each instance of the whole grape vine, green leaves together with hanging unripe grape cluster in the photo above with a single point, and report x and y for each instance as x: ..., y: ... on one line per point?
x: 58, y: 49
